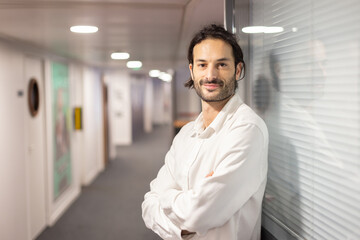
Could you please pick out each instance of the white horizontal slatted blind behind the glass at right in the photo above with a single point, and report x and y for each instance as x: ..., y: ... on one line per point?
x: 306, y: 86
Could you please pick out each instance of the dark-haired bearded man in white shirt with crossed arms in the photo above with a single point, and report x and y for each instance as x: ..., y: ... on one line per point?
x: 212, y: 183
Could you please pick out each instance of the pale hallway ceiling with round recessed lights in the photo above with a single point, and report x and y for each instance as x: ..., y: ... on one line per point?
x: 156, y: 32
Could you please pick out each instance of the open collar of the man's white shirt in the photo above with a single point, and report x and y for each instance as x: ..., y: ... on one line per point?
x: 226, y: 112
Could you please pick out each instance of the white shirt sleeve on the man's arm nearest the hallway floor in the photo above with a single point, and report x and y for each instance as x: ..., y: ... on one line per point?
x: 152, y: 213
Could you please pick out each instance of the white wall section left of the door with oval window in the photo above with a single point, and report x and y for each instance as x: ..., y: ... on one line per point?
x: 13, y: 199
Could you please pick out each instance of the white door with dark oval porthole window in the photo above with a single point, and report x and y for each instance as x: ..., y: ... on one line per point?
x: 36, y: 145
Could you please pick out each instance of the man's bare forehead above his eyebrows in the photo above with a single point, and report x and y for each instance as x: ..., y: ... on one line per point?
x: 213, y: 48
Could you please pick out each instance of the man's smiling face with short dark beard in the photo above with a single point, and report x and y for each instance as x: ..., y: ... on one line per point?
x: 213, y: 70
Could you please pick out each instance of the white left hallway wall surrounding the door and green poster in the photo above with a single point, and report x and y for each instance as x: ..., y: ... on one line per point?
x: 85, y: 91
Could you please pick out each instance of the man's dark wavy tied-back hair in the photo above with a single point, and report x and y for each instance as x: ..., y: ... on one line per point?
x: 215, y: 31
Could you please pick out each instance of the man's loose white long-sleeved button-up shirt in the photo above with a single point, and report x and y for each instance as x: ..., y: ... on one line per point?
x: 226, y: 205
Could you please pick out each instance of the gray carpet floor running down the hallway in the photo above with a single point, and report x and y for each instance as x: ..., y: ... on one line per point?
x: 110, y: 208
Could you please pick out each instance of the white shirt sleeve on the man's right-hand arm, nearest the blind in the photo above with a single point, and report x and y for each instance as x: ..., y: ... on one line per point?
x: 213, y: 201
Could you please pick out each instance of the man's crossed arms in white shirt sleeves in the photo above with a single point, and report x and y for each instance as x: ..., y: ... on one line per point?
x: 172, y: 212
